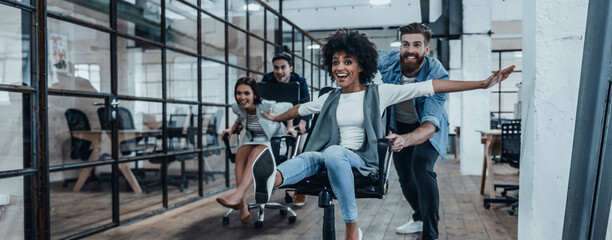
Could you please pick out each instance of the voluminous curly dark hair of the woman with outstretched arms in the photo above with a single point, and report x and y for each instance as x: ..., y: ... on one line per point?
x: 354, y: 44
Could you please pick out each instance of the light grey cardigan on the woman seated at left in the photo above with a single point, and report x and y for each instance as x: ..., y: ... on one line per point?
x: 270, y: 128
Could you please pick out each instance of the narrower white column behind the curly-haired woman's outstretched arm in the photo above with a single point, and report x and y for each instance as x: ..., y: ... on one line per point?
x: 475, y: 105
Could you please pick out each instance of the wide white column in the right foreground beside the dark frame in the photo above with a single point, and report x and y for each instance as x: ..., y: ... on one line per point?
x: 553, y: 33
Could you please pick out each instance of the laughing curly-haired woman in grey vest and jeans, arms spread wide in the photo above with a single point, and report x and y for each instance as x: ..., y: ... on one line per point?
x: 349, y: 124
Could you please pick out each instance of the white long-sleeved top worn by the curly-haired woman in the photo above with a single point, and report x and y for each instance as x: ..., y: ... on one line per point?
x: 350, y: 108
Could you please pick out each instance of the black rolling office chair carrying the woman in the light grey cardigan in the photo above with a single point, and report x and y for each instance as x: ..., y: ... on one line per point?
x: 231, y: 157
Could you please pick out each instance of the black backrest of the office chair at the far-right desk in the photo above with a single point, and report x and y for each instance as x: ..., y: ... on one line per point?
x: 511, y: 143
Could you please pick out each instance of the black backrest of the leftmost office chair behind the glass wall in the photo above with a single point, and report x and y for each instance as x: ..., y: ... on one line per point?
x: 78, y: 121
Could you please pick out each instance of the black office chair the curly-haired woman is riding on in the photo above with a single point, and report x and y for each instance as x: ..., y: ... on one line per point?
x: 373, y: 186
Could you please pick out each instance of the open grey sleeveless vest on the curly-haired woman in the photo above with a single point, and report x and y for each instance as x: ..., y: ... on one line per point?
x: 326, y: 132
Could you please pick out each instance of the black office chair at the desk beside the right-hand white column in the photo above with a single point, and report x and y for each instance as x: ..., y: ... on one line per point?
x: 510, y: 154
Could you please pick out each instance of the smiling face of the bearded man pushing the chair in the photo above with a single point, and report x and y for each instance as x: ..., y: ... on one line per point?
x: 412, y: 53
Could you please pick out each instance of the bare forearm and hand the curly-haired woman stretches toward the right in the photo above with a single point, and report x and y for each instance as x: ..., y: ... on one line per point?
x: 447, y: 86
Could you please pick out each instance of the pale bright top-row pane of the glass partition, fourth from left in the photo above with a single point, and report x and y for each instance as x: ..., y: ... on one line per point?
x: 181, y: 26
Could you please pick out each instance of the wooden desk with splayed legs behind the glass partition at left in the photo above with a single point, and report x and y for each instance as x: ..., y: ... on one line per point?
x: 96, y: 139
